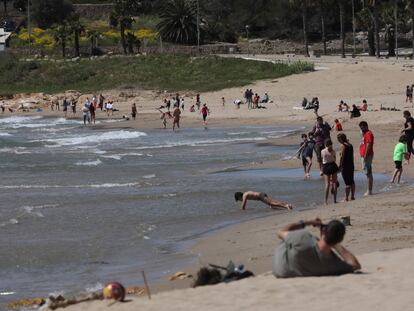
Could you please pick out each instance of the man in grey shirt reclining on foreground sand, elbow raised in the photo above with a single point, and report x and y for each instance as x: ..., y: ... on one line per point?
x: 302, y: 254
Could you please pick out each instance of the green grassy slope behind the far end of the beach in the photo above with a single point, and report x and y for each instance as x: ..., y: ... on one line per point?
x: 160, y: 72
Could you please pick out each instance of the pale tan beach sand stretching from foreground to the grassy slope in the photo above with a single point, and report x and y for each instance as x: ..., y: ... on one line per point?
x: 380, y: 224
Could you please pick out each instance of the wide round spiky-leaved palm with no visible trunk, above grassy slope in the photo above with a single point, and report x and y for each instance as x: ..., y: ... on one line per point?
x: 179, y: 22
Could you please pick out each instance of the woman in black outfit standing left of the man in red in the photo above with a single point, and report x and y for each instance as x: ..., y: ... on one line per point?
x: 346, y: 166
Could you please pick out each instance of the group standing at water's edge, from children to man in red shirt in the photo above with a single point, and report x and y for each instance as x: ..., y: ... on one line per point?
x: 319, y: 141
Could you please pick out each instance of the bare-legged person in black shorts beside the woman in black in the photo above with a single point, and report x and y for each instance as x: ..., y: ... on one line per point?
x: 330, y: 170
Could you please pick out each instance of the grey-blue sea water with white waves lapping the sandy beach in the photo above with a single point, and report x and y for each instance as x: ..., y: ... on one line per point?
x: 82, y: 206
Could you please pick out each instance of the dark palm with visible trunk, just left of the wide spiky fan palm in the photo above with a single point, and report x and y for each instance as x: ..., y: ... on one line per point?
x: 122, y: 16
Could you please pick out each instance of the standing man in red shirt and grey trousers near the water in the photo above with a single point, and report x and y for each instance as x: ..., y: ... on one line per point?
x: 366, y: 151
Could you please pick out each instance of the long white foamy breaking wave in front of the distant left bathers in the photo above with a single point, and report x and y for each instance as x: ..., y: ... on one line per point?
x: 96, y: 138
